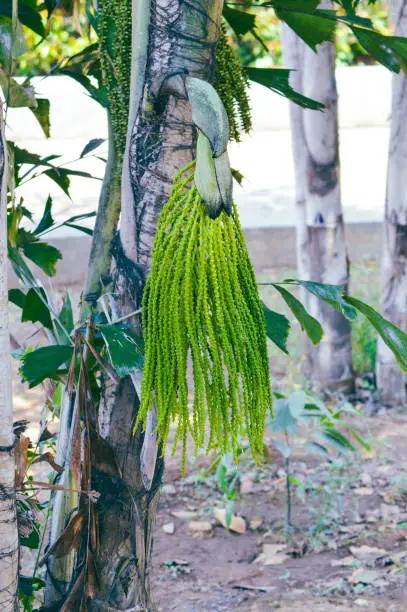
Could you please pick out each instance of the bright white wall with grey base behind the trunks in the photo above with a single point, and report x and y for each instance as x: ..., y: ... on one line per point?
x: 266, y: 200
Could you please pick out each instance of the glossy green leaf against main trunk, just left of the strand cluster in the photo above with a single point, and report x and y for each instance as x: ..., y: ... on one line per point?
x: 125, y: 349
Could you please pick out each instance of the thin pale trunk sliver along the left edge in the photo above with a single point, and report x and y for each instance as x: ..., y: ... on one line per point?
x: 8, y: 520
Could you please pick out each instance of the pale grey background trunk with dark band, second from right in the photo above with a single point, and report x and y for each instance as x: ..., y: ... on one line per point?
x: 321, y: 248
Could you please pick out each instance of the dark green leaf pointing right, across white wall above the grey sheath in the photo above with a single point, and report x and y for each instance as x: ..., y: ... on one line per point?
x: 278, y: 80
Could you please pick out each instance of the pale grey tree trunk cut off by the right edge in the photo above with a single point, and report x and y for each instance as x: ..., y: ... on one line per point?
x: 390, y: 379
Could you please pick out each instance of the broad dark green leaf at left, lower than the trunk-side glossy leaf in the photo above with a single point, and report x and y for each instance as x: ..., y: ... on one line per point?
x: 44, y: 363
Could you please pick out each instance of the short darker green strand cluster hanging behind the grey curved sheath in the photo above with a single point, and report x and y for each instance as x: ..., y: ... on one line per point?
x: 231, y: 83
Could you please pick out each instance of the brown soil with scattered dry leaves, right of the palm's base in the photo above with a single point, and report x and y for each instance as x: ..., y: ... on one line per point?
x: 218, y: 571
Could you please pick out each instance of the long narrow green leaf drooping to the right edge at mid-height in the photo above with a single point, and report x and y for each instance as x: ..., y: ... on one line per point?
x: 395, y: 339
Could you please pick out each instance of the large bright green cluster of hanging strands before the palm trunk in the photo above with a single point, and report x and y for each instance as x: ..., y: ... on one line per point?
x: 201, y: 309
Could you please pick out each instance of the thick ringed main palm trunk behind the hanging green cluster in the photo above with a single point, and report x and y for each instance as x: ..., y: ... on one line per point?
x: 179, y: 36
